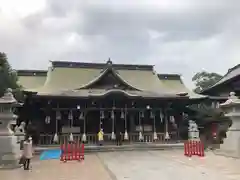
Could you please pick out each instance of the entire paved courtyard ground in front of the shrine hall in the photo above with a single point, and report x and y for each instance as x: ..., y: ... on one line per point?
x: 167, y: 165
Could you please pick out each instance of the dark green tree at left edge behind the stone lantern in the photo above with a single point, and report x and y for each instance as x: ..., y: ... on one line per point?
x: 8, y: 77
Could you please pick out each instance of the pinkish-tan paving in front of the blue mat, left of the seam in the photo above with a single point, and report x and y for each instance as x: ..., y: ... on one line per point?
x: 90, y: 169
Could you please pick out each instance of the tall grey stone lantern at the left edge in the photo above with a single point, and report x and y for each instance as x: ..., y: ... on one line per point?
x: 9, y: 148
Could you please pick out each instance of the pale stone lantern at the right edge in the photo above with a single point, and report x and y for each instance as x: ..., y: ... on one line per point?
x: 231, y: 145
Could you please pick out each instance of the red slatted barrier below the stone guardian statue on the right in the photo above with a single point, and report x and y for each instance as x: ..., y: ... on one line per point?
x: 192, y: 147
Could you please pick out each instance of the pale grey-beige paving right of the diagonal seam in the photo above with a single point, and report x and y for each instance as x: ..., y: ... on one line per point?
x: 169, y: 165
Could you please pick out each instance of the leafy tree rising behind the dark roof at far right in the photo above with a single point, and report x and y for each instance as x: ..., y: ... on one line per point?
x: 204, y: 80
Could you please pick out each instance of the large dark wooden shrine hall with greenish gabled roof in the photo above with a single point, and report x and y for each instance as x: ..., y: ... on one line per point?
x: 82, y: 98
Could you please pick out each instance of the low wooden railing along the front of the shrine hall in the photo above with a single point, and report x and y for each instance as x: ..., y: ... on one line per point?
x: 47, y: 139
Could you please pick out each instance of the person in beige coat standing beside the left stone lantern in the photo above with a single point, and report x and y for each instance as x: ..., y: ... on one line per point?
x: 27, y: 152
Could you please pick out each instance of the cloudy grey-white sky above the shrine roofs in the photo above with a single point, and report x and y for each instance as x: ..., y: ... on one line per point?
x: 177, y: 36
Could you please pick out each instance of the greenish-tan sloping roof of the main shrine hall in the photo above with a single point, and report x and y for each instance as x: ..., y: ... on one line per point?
x: 72, y: 77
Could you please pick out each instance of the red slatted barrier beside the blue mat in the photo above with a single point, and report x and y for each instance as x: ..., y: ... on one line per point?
x: 72, y: 151
